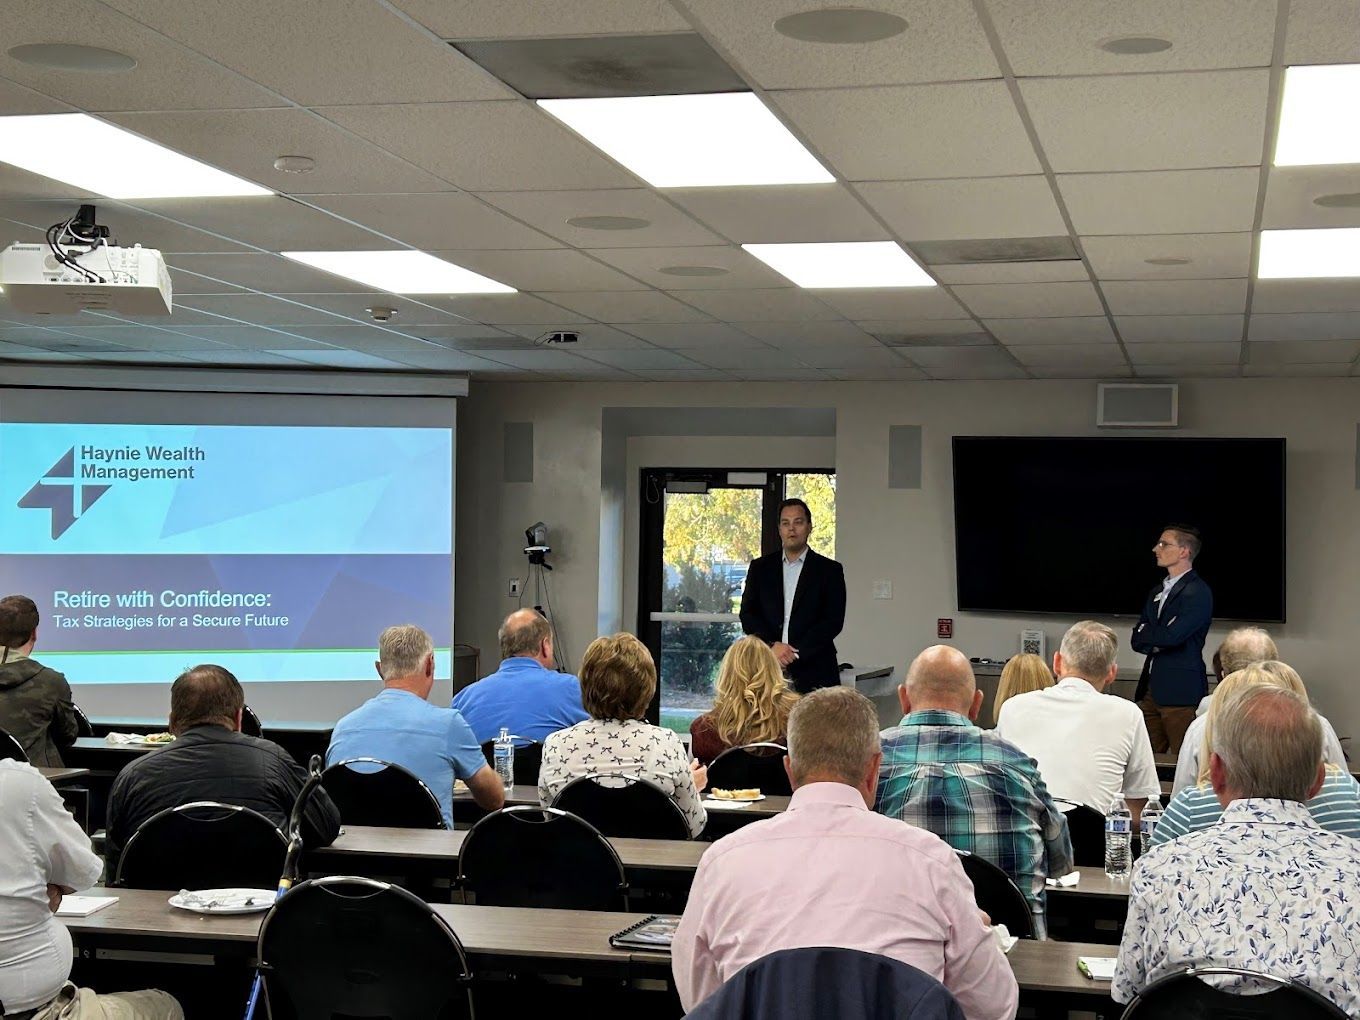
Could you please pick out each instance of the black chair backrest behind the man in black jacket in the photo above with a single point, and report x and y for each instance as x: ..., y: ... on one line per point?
x: 203, y: 847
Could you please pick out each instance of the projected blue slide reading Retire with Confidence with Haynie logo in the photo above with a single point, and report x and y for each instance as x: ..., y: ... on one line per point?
x: 275, y: 551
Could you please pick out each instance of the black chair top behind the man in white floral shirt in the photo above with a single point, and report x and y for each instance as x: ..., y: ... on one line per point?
x: 1184, y: 996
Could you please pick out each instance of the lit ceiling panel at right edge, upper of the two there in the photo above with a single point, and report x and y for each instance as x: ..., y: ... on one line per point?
x: 1317, y: 116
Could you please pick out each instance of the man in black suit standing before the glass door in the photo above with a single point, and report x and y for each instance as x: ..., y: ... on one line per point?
x: 796, y: 602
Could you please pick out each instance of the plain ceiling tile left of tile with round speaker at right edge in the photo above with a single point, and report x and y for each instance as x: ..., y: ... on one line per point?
x: 1168, y: 202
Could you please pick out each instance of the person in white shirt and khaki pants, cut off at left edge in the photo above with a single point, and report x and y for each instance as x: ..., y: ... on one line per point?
x: 43, y: 856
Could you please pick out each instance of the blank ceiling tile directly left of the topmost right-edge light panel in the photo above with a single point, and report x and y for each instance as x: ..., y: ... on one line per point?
x: 1150, y: 122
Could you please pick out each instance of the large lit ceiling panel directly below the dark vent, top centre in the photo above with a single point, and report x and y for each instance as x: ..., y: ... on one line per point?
x: 727, y: 139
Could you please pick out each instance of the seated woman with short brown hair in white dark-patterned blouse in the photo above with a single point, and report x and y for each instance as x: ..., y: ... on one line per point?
x: 618, y: 681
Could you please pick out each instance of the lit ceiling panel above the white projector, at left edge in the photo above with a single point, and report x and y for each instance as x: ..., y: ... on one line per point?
x: 103, y: 160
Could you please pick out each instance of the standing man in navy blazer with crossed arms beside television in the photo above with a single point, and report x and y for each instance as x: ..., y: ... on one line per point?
x: 1170, y: 633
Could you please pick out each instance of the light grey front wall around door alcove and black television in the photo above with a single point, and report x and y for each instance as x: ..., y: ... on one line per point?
x: 906, y: 537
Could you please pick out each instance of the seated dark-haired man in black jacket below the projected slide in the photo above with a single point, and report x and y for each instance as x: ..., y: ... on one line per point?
x: 213, y: 761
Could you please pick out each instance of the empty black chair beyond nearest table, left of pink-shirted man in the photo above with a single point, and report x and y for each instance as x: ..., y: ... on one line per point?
x: 542, y: 857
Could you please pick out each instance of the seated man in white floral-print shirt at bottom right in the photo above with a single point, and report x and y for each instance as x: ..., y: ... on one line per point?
x: 1264, y: 889
